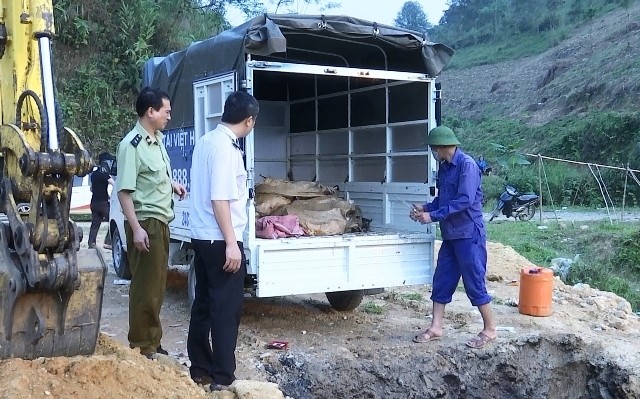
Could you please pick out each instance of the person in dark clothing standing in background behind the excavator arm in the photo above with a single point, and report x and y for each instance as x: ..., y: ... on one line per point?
x: 100, y: 181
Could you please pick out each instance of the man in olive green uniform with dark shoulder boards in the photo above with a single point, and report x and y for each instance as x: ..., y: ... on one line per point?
x: 145, y: 191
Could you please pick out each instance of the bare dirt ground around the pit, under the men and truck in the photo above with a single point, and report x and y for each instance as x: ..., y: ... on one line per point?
x: 588, y: 348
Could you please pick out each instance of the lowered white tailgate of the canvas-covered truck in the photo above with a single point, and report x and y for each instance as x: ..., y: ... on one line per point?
x: 305, y: 265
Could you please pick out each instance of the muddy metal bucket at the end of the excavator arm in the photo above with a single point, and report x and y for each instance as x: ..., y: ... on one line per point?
x: 43, y: 323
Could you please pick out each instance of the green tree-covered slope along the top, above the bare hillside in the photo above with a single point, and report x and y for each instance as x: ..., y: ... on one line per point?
x: 489, y: 31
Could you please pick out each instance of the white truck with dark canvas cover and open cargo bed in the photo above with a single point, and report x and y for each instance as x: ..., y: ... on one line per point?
x: 344, y: 102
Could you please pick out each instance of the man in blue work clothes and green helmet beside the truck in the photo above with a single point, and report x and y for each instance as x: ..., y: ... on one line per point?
x: 458, y: 209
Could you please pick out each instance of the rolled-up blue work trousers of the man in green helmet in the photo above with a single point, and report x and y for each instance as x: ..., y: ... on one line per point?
x: 466, y: 258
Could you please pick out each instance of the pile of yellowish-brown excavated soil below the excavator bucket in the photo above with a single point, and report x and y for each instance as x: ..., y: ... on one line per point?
x: 115, y: 371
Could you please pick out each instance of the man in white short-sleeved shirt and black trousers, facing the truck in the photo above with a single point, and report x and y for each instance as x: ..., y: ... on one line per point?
x: 218, y: 217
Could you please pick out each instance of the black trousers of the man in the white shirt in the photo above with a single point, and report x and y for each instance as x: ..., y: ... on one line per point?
x: 215, y: 313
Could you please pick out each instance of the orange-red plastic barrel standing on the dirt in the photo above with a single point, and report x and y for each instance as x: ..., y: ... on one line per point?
x: 536, y: 291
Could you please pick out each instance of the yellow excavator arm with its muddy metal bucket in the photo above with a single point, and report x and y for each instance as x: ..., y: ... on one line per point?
x: 50, y: 290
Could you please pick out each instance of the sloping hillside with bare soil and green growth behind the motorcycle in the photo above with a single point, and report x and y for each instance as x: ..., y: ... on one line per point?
x: 578, y: 99
